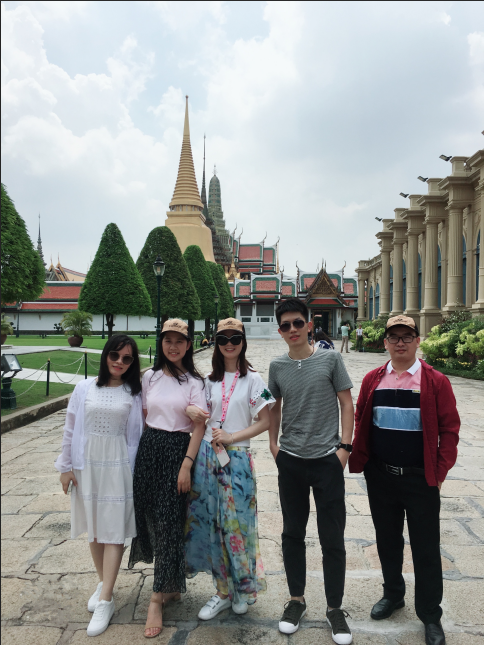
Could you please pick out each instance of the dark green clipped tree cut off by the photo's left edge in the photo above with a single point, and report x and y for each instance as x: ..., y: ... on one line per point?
x: 23, y: 274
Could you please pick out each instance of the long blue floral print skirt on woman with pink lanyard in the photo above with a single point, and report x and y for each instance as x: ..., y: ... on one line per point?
x: 221, y: 533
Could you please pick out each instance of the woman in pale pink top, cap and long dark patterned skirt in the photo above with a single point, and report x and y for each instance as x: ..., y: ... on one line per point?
x: 162, y: 474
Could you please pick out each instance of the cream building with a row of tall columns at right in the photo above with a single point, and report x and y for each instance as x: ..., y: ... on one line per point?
x: 430, y: 263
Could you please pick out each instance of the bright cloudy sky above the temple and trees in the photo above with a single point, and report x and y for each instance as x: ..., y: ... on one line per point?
x: 317, y: 114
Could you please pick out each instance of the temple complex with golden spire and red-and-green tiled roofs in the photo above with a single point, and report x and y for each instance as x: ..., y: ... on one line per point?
x: 256, y: 280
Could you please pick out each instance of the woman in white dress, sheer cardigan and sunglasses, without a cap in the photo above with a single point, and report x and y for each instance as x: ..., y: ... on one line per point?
x: 104, y: 422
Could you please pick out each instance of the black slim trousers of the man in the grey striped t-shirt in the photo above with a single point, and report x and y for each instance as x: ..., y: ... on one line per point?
x: 296, y: 478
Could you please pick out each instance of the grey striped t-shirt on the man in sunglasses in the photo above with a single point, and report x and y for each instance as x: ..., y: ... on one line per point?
x: 310, y: 410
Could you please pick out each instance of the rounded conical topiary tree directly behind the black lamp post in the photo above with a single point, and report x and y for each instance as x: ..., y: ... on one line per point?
x: 179, y: 298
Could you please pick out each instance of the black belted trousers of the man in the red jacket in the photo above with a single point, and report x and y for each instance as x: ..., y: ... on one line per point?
x: 392, y: 497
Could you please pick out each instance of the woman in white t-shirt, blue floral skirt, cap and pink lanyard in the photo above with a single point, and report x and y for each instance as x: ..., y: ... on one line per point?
x: 221, y: 536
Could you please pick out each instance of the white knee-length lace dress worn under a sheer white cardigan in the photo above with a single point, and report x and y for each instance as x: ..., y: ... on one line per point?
x: 102, y: 503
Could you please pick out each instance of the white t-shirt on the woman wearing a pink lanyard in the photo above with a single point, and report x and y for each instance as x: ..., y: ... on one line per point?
x: 248, y: 398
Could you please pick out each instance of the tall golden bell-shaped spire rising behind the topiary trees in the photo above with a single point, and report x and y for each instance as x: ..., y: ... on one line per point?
x: 185, y: 217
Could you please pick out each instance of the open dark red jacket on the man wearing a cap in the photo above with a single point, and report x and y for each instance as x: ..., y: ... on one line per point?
x: 440, y: 423
